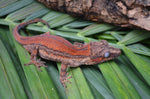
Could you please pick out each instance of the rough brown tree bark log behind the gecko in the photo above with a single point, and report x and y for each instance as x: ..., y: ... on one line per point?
x: 124, y: 13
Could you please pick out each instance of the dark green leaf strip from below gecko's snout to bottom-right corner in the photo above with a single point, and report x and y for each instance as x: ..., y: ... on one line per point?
x: 140, y: 86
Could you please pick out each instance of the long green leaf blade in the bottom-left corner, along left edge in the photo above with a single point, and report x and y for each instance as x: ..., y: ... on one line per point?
x: 11, y: 75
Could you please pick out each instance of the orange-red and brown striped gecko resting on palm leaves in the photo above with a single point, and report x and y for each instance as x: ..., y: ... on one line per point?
x: 58, y: 49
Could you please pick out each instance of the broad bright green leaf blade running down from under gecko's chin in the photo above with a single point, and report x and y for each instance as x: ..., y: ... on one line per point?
x: 118, y: 82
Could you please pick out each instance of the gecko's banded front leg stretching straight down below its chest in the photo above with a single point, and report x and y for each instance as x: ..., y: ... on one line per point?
x: 63, y: 75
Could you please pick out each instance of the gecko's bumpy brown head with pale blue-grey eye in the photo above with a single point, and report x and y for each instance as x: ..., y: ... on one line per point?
x: 101, y: 51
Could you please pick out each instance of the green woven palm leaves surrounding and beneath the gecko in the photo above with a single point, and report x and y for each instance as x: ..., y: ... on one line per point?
x: 126, y: 77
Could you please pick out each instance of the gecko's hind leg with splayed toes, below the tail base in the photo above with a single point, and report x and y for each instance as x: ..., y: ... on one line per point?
x: 37, y: 62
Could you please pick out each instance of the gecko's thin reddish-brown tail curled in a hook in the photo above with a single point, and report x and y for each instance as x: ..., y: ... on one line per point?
x: 22, y: 25
